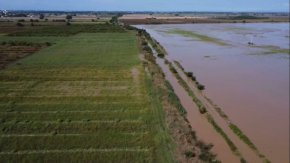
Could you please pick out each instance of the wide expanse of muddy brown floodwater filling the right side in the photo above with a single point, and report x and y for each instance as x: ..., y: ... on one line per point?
x: 250, y: 86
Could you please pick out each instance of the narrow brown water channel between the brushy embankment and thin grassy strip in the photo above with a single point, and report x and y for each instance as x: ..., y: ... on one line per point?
x: 203, y: 129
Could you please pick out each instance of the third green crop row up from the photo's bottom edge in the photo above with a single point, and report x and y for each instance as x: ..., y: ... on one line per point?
x: 72, y: 127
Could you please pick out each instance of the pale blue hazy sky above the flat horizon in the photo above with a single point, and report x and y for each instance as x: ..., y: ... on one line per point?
x: 147, y: 5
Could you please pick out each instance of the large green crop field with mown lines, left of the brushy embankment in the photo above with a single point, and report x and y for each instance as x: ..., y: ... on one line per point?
x: 86, y: 98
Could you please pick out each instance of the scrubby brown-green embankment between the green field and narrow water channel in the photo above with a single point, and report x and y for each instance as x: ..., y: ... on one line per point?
x: 188, y: 146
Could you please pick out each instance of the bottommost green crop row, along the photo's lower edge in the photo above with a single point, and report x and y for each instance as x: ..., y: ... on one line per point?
x: 81, y: 156
